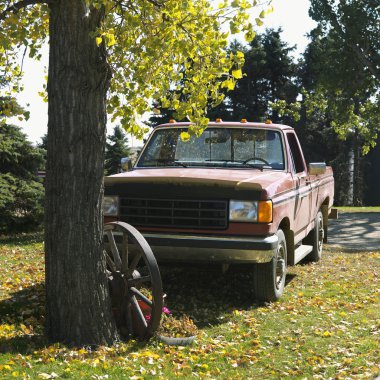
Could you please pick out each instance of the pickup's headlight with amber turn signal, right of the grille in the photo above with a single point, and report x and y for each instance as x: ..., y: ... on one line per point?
x: 251, y: 211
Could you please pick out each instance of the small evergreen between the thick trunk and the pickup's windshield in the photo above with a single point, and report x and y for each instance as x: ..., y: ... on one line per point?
x: 116, y: 149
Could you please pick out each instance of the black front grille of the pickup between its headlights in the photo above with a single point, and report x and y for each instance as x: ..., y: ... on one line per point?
x: 179, y: 213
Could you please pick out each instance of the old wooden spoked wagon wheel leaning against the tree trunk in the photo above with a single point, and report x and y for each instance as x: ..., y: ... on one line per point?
x: 134, y: 280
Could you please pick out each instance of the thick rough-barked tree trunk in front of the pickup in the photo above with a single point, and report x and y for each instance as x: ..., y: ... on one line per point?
x: 78, y: 310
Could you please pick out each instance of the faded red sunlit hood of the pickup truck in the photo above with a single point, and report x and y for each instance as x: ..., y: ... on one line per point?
x: 239, y: 179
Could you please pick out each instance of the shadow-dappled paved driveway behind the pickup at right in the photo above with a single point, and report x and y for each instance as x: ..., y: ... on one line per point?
x: 355, y: 231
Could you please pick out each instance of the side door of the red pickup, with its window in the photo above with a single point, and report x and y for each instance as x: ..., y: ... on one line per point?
x: 301, y: 187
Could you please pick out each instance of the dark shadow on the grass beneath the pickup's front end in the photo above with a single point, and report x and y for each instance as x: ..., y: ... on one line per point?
x: 208, y: 295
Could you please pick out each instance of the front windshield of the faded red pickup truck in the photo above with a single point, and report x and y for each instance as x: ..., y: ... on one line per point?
x: 216, y: 147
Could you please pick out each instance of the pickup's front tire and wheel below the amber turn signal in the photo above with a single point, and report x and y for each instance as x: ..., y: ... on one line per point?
x: 269, y: 278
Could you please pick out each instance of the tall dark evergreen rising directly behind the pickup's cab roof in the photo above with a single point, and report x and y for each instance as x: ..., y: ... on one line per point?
x: 270, y: 75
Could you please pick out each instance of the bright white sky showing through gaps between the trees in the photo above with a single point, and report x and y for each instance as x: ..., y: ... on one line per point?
x: 291, y: 15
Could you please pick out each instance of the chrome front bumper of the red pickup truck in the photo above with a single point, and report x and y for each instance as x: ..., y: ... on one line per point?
x: 209, y: 249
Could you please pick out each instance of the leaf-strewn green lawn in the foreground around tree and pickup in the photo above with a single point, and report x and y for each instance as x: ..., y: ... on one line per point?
x: 326, y: 326
